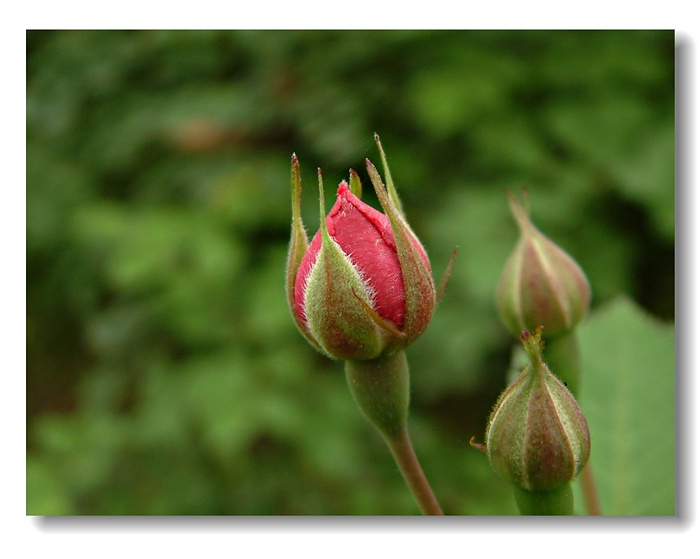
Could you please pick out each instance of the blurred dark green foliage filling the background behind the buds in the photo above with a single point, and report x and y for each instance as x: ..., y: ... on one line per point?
x: 165, y: 375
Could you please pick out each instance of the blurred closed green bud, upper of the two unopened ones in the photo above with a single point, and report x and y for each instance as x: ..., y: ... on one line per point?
x: 541, y: 284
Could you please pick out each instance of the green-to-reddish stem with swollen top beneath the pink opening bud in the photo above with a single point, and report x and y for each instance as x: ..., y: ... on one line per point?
x: 381, y: 389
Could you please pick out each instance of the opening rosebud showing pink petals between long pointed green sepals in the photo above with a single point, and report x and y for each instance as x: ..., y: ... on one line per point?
x: 362, y: 287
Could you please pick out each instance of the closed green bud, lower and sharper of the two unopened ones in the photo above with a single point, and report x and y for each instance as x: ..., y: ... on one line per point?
x: 537, y: 437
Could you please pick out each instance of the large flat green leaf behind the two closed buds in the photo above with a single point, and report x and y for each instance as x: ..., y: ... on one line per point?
x: 628, y: 399
